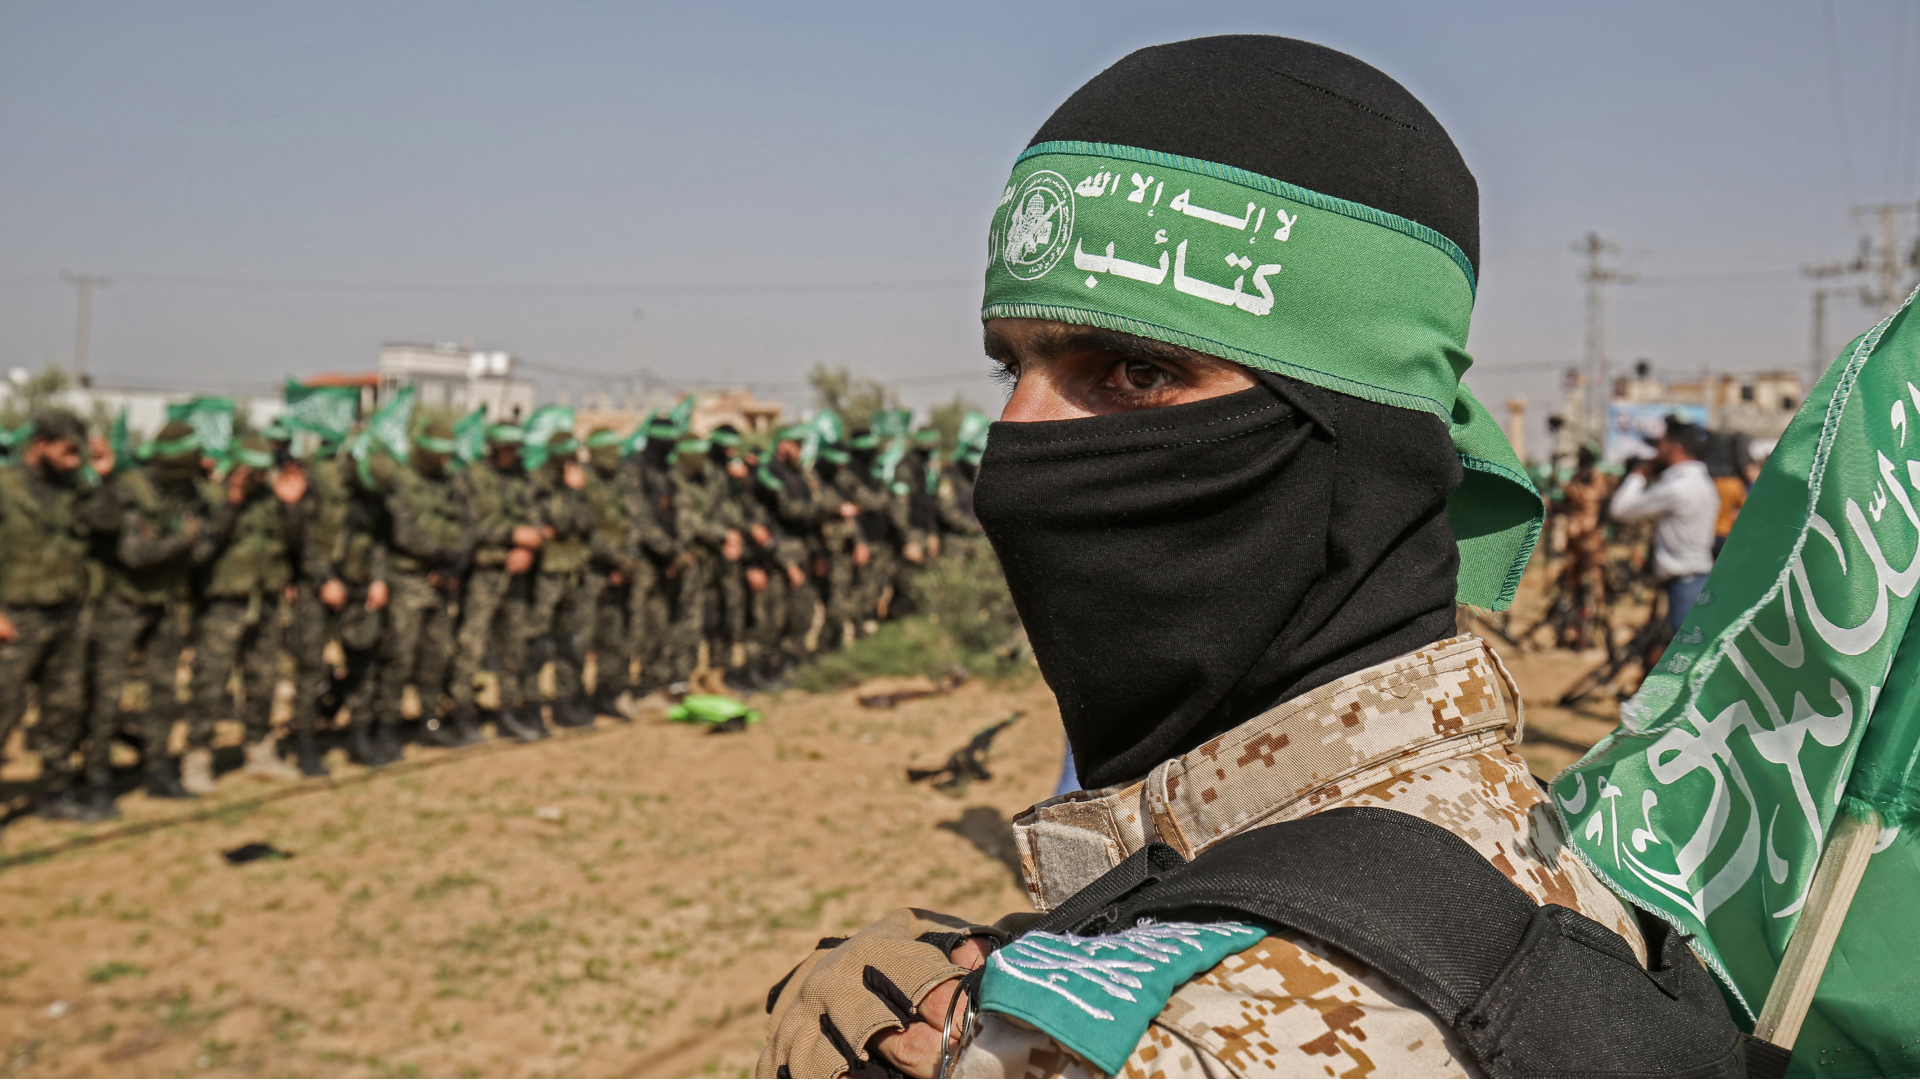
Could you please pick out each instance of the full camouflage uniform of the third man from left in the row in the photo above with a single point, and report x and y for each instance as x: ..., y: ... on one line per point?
x: 239, y: 626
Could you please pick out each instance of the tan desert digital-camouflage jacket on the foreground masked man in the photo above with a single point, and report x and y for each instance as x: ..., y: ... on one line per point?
x: 1431, y: 733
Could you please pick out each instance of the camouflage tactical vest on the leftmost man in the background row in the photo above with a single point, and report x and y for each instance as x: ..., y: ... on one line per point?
x: 43, y: 552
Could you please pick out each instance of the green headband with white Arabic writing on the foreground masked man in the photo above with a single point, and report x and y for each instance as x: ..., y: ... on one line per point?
x: 1276, y: 278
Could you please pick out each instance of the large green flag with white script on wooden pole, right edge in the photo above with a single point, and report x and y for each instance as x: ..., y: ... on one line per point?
x: 1788, y: 699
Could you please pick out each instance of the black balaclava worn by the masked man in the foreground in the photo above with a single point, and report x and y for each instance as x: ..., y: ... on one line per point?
x: 1184, y: 570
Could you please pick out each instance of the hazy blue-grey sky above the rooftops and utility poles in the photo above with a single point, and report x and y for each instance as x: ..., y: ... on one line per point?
x: 277, y: 189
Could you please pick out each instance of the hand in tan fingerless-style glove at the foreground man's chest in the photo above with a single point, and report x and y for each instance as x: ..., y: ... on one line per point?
x: 828, y: 1008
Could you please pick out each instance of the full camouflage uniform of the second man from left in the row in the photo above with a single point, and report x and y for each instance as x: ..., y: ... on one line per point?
x: 156, y: 528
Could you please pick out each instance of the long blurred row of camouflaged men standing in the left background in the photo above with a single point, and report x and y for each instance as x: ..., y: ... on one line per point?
x: 433, y: 558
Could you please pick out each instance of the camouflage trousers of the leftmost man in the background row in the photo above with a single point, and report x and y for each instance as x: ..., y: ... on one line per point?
x: 49, y: 650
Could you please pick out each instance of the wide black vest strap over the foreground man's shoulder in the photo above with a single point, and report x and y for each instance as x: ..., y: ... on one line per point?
x: 1531, y: 991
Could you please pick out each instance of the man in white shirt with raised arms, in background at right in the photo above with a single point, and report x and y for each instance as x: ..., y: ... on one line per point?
x: 1683, y: 504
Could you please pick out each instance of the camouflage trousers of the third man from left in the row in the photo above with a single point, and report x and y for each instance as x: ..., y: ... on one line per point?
x: 235, y: 637
